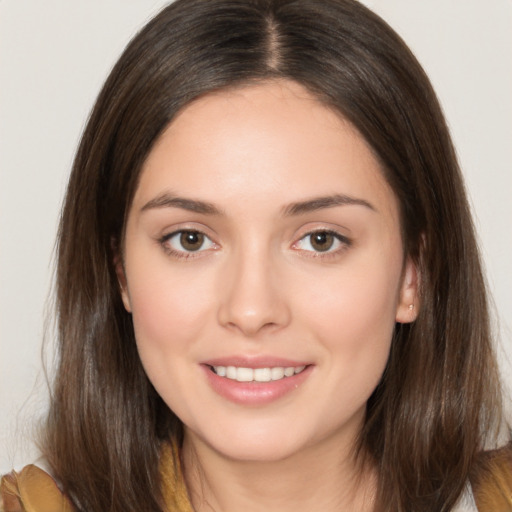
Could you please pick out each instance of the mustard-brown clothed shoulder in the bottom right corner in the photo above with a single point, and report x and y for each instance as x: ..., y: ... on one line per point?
x: 492, y: 481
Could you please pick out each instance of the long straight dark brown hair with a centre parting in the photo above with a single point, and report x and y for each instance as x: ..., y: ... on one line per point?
x: 439, y: 395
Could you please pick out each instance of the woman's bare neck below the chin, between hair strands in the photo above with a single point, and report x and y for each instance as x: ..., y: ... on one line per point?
x: 323, y: 478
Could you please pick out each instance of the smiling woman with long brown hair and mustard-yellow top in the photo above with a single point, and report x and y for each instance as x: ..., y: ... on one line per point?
x: 269, y: 292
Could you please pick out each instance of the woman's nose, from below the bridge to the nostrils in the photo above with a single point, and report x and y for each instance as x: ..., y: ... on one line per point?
x: 252, y: 294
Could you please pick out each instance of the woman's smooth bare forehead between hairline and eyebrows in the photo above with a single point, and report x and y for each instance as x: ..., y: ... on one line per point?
x: 272, y: 140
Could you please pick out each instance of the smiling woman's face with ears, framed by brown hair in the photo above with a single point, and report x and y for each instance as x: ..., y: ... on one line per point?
x: 263, y: 267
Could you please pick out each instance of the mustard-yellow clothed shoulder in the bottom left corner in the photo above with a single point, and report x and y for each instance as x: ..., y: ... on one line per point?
x: 31, y: 490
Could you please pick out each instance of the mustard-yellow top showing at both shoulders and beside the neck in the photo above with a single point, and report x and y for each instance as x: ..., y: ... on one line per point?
x: 33, y: 490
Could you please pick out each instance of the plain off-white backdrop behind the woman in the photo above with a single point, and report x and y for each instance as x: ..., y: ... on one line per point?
x: 54, y: 57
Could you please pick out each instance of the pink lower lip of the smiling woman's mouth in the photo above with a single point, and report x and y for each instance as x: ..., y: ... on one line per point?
x: 255, y: 393
